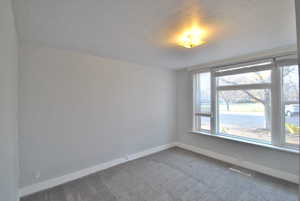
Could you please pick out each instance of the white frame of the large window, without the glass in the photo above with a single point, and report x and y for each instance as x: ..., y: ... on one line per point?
x: 277, y: 121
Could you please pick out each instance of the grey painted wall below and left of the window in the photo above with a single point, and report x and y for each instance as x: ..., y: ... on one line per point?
x: 278, y: 160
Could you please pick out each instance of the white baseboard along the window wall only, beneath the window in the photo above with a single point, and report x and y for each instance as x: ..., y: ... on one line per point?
x: 245, y: 164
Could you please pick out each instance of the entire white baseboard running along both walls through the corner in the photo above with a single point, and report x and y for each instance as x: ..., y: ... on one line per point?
x: 81, y: 173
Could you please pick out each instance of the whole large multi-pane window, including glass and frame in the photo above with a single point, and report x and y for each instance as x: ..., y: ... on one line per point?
x: 257, y: 101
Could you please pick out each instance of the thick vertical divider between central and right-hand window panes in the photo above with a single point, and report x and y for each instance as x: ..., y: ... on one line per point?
x: 276, y: 106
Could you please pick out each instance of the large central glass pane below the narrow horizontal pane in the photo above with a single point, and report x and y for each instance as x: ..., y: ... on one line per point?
x: 245, y: 113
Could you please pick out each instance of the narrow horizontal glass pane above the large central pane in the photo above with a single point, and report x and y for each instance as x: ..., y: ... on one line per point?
x: 246, y: 78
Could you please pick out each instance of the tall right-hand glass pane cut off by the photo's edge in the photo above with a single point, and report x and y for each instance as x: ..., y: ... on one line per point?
x: 290, y: 90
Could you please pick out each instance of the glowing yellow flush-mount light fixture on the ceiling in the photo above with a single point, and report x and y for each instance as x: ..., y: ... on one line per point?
x: 191, y: 38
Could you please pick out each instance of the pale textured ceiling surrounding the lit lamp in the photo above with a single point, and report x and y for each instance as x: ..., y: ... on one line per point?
x: 140, y: 30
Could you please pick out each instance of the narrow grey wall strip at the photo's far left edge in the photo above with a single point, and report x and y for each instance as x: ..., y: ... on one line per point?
x: 8, y: 104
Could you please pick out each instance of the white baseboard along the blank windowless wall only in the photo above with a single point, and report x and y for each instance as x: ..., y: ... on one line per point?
x: 34, y: 188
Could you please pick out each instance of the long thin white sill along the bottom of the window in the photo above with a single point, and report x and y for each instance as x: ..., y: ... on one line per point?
x: 295, y: 151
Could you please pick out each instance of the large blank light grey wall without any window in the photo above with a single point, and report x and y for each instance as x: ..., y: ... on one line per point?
x: 77, y: 111
